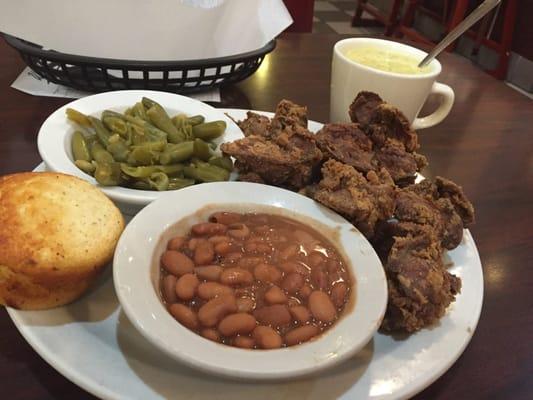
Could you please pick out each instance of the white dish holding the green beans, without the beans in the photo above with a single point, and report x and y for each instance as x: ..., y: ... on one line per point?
x: 54, y: 140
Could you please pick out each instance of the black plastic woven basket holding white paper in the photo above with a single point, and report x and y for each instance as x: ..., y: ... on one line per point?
x: 104, y: 74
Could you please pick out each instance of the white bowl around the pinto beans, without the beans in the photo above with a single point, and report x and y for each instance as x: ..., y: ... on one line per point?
x: 136, y: 277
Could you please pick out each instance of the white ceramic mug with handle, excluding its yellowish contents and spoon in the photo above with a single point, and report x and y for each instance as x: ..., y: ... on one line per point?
x: 407, y: 92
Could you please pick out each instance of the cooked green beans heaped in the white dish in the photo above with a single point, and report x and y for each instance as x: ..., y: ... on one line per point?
x: 145, y: 148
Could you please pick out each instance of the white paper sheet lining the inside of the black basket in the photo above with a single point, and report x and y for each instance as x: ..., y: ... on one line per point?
x: 146, y: 29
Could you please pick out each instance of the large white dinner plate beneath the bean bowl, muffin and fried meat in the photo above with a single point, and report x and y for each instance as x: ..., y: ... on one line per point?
x: 92, y: 343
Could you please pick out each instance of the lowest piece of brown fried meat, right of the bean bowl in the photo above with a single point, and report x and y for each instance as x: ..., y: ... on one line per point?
x: 420, y: 287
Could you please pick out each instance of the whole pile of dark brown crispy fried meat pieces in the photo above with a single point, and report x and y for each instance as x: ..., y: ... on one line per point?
x: 365, y: 171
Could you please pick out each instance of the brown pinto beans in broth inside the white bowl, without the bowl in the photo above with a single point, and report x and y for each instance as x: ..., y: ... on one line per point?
x: 287, y: 275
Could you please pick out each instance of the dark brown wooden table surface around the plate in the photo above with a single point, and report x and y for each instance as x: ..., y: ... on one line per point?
x: 485, y: 144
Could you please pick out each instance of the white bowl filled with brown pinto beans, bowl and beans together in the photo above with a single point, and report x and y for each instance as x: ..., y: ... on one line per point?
x: 229, y: 280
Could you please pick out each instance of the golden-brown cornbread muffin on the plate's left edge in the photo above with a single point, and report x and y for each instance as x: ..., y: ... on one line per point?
x: 57, y: 233
